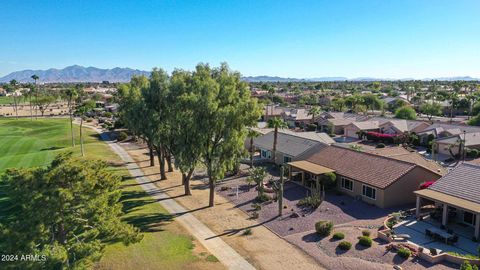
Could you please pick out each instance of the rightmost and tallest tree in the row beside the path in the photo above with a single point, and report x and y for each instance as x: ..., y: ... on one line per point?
x: 225, y: 110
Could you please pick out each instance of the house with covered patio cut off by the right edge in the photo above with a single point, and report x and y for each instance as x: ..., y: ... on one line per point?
x: 456, y: 196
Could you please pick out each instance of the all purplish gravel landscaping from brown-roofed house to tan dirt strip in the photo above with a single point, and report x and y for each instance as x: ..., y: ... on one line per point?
x: 350, y: 217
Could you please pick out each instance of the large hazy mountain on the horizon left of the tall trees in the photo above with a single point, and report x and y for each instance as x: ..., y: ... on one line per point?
x: 75, y: 74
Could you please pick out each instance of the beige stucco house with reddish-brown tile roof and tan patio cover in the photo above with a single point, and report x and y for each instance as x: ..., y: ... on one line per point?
x: 375, y: 179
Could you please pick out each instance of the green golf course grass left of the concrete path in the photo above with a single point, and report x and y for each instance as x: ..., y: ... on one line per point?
x: 25, y: 143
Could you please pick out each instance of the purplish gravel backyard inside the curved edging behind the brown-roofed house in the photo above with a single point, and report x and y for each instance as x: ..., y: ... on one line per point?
x: 339, y: 209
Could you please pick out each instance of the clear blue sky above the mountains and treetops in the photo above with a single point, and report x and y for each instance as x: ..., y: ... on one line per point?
x: 381, y: 38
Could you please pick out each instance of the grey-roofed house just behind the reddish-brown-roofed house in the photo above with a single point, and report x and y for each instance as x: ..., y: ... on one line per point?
x: 289, y: 144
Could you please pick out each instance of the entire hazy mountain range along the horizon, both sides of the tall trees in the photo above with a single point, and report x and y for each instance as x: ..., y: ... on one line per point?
x: 92, y: 74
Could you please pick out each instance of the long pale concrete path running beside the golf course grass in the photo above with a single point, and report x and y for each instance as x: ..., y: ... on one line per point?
x: 215, y: 245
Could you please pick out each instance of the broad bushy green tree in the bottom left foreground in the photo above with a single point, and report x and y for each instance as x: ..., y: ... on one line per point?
x: 66, y: 212
